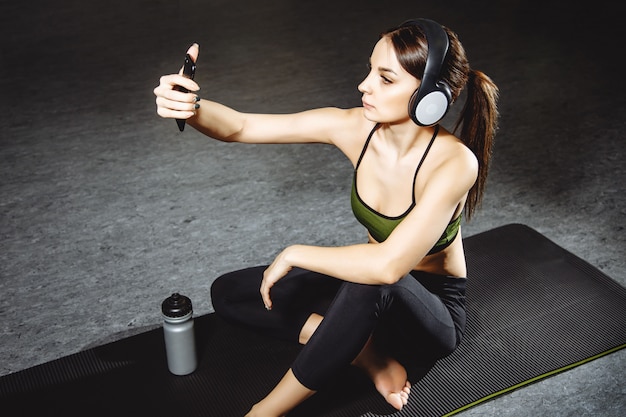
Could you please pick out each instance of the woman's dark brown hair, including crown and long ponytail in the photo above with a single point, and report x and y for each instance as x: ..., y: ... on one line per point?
x: 479, y: 117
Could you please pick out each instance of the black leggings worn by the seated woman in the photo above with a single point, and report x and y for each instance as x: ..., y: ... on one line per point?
x: 421, y: 317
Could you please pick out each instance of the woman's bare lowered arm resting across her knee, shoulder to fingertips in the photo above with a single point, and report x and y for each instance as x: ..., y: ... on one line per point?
x: 406, y: 246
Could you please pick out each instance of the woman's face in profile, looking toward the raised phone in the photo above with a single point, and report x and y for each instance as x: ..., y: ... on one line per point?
x: 388, y: 87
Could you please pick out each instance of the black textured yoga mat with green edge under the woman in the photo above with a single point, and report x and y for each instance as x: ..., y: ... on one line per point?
x: 534, y: 309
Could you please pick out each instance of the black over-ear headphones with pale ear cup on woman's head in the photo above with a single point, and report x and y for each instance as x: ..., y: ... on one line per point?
x: 431, y: 101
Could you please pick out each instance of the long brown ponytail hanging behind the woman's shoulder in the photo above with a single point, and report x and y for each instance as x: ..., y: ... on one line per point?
x: 479, y: 121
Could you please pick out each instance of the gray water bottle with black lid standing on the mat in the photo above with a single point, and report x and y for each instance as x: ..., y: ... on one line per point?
x: 178, y: 330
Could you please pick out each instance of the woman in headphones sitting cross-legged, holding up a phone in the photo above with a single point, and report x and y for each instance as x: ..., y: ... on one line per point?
x: 400, y: 297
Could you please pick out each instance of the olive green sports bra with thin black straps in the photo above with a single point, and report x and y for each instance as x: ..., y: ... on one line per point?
x: 381, y: 226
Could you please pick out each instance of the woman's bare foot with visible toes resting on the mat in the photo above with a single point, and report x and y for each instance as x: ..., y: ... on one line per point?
x: 387, y: 374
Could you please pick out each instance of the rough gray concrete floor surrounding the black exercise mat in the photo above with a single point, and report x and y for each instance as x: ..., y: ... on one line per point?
x: 106, y: 209
